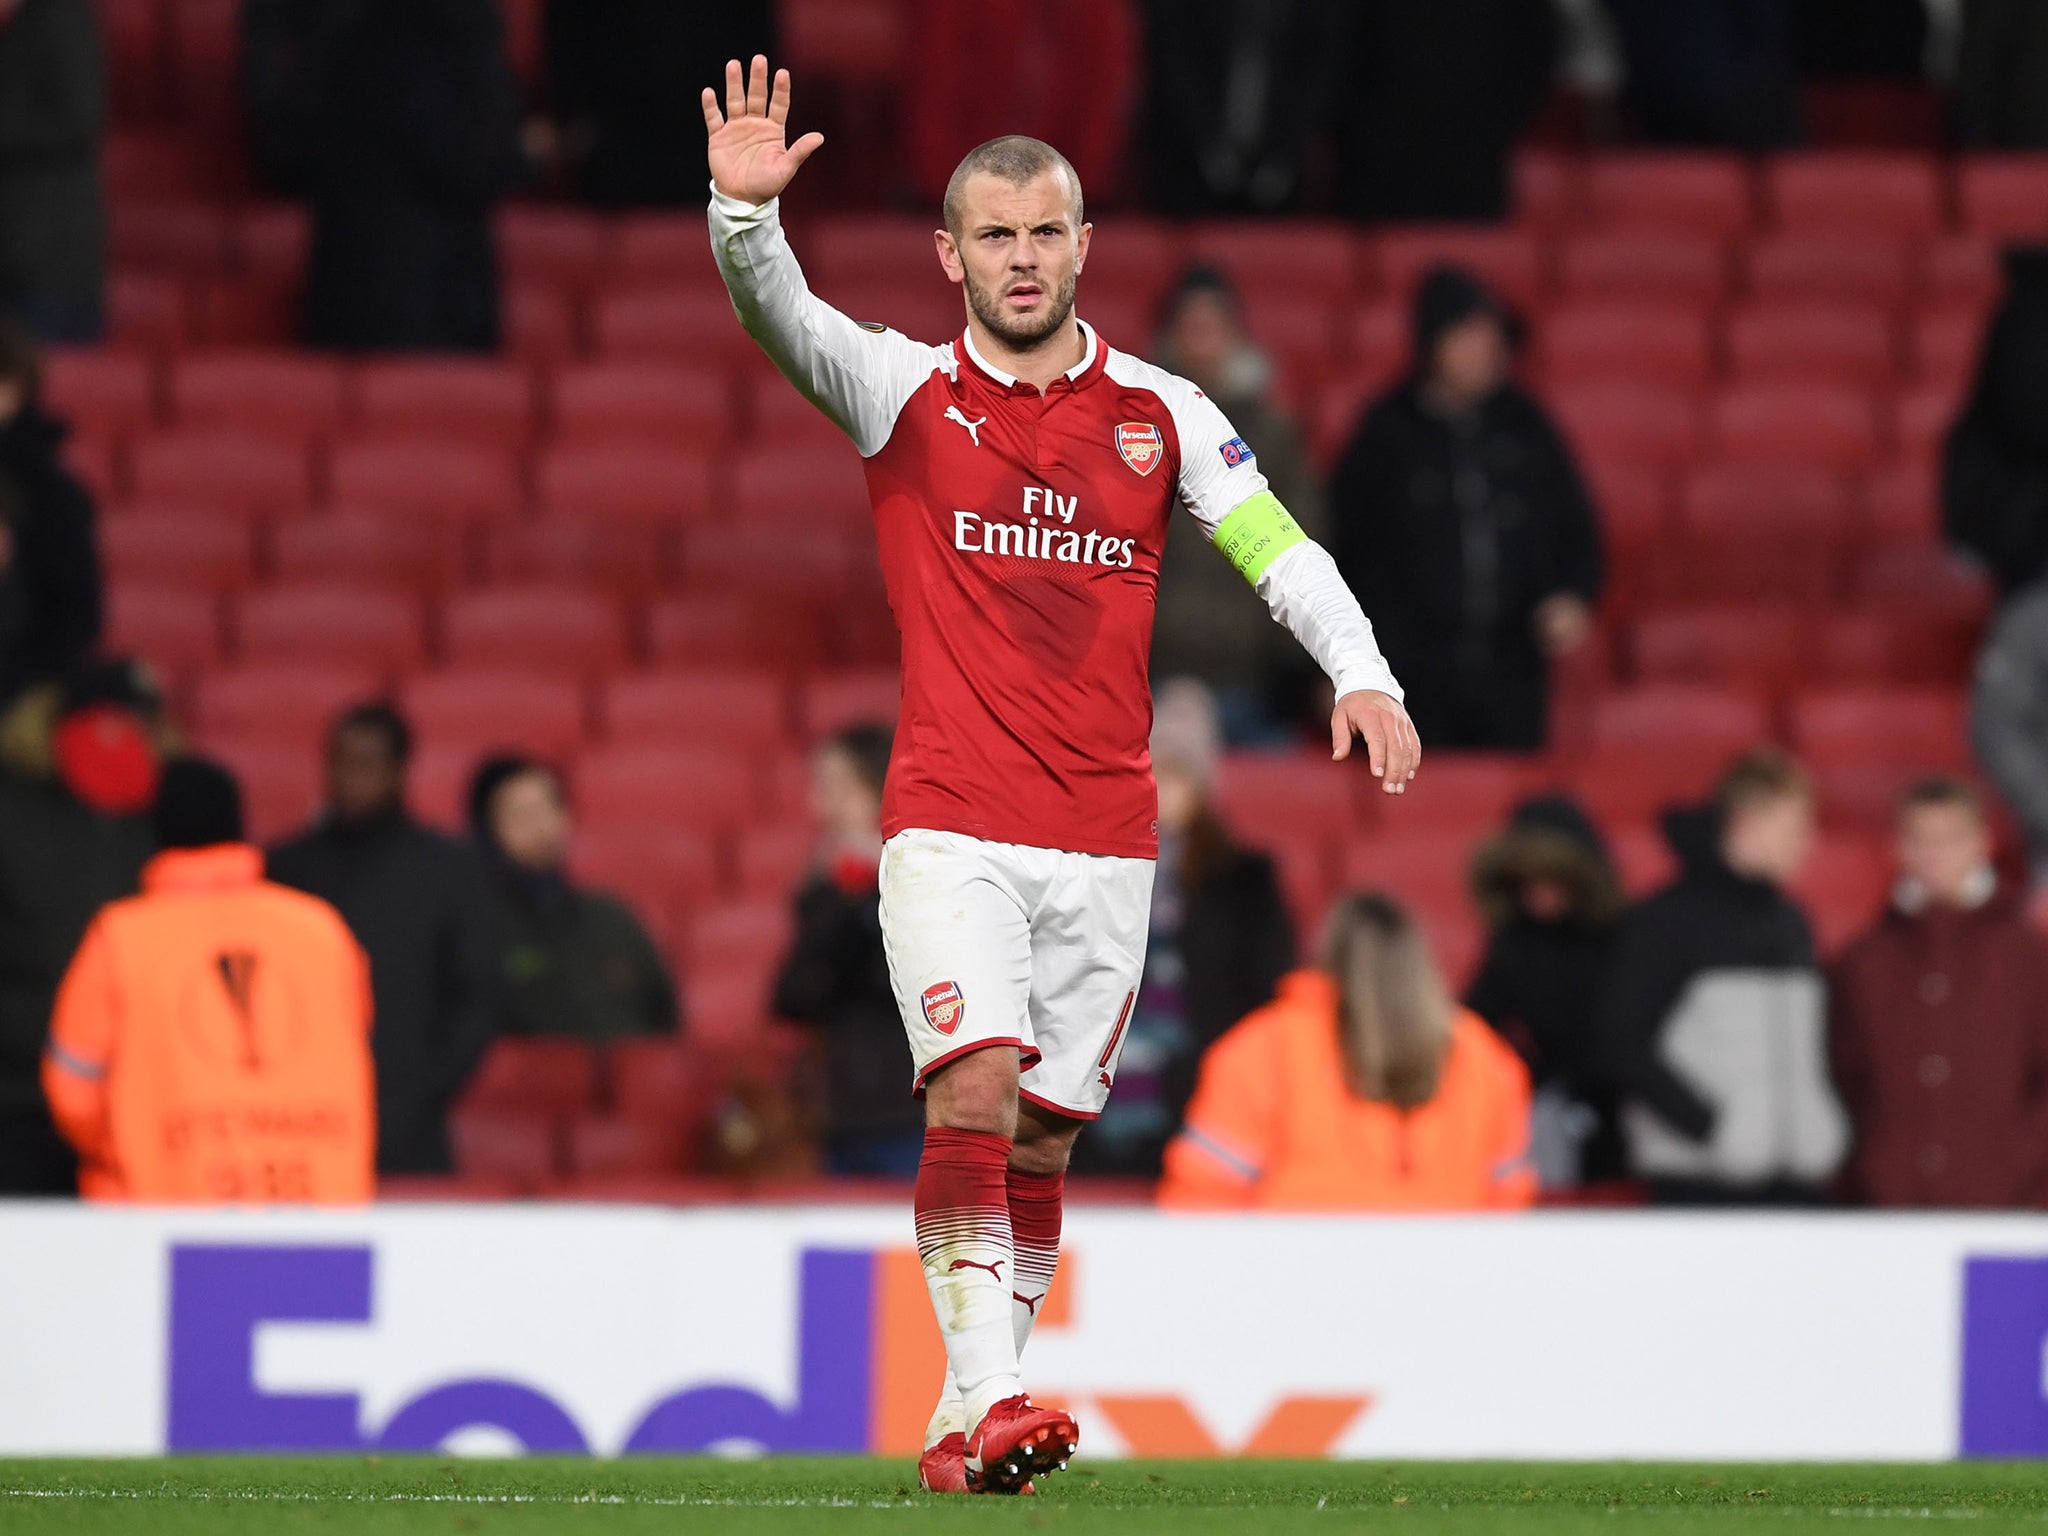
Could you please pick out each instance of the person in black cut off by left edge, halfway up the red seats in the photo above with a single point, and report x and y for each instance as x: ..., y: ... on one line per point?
x: 50, y: 566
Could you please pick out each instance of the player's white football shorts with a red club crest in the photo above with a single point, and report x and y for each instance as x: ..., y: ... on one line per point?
x: 994, y: 943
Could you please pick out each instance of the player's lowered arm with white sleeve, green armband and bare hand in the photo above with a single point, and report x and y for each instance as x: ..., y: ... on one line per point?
x: 1224, y: 488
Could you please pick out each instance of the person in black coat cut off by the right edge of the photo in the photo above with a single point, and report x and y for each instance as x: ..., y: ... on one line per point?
x: 1996, y: 472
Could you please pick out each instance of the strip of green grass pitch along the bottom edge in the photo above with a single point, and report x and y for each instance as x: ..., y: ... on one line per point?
x: 396, y: 1494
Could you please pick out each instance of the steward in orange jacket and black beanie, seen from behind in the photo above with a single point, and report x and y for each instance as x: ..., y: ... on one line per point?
x: 212, y: 1037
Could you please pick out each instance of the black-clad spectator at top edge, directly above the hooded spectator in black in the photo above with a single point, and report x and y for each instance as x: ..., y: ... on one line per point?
x: 1433, y: 101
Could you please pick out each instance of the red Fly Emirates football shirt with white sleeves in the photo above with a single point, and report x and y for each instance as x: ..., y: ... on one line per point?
x: 1021, y: 540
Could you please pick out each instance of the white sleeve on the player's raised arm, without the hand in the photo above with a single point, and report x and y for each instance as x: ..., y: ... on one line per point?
x: 859, y: 376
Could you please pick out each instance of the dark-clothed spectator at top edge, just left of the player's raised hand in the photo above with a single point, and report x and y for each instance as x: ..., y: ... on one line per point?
x: 615, y: 73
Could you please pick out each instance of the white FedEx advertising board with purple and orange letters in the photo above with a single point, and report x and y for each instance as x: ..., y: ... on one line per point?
x: 495, y: 1330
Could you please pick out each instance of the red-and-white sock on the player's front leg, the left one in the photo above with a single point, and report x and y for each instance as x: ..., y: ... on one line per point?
x: 964, y: 1238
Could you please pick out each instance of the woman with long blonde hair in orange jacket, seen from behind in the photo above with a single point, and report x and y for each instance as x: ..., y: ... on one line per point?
x: 1363, y: 1086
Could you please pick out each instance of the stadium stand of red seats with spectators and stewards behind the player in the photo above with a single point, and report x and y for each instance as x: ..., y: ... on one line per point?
x: 1715, y: 886
